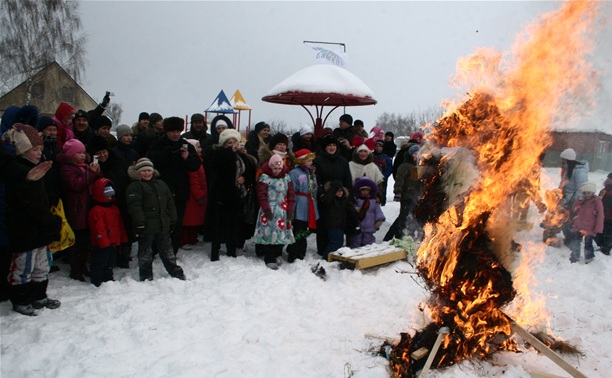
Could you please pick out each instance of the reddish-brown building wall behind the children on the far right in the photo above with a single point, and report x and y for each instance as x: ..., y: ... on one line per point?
x: 595, y: 147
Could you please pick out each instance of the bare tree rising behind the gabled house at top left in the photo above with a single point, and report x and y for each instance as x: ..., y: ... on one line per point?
x: 34, y: 33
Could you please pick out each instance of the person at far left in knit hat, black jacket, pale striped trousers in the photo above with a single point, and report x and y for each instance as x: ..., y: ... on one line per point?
x: 30, y: 228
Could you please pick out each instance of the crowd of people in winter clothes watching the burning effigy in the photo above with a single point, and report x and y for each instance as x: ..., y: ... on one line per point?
x: 167, y: 188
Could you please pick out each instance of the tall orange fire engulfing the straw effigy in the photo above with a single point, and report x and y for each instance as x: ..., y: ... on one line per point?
x: 481, y: 151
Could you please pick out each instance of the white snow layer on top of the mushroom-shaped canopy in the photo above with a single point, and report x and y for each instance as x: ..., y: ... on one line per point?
x: 322, y: 78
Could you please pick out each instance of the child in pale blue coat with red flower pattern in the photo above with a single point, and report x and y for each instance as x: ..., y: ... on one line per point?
x: 277, y: 202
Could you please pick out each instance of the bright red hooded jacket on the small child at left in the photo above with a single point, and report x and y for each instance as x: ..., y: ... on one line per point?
x: 106, y: 227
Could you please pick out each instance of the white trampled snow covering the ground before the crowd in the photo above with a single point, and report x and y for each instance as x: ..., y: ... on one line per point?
x: 237, y: 318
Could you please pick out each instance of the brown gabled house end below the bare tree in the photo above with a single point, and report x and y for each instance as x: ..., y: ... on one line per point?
x: 51, y: 86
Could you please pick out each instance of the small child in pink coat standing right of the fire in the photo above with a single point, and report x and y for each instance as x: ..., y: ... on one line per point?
x: 588, y: 220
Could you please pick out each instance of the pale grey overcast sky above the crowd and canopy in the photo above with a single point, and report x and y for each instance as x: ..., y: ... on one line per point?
x: 174, y: 57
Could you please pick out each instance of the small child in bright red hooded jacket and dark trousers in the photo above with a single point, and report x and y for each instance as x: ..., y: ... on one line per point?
x: 106, y: 231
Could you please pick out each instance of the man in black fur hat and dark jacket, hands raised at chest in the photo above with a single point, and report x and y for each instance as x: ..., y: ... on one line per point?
x: 174, y: 158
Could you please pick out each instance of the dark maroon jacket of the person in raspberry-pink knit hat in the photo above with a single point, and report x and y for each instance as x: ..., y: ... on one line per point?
x: 75, y: 182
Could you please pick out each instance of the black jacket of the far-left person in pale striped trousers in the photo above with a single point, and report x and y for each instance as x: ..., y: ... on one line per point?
x: 29, y: 222
